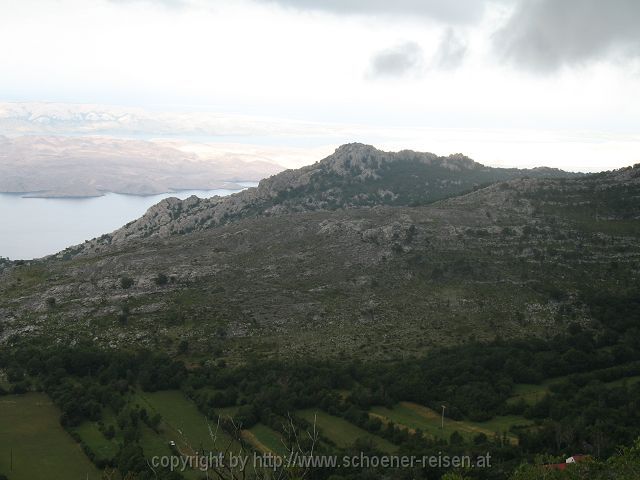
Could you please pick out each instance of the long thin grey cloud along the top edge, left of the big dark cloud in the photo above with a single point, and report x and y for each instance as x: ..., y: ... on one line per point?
x: 458, y: 11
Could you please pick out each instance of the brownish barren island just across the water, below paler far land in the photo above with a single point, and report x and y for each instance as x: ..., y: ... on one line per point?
x: 57, y: 166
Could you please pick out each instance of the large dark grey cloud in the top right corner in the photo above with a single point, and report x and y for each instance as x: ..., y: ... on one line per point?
x: 545, y: 35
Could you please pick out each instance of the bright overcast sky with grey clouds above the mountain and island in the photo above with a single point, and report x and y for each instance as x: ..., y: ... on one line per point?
x: 507, y: 82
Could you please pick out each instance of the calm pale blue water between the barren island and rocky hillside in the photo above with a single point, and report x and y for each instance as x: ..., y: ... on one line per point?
x: 35, y: 227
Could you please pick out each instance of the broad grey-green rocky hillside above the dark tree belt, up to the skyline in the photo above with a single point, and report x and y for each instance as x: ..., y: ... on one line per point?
x: 513, y: 259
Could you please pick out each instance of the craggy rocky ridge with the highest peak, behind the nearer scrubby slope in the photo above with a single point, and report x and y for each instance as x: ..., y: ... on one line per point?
x: 356, y: 175
